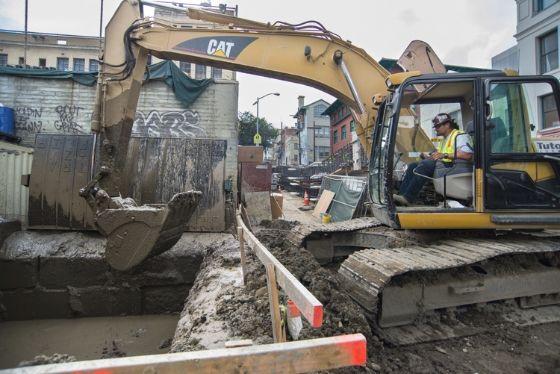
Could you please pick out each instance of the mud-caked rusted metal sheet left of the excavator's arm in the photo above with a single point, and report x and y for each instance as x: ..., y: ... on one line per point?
x: 61, y: 166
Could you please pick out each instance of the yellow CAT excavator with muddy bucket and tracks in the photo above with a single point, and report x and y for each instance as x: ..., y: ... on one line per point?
x: 481, y: 233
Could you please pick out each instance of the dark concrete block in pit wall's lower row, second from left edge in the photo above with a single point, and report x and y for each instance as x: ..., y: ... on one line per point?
x: 105, y: 301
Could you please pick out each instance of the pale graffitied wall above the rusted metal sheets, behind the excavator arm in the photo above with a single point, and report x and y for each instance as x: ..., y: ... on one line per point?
x: 63, y: 106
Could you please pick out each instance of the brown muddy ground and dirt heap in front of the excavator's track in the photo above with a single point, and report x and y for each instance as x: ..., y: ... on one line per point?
x: 504, y: 348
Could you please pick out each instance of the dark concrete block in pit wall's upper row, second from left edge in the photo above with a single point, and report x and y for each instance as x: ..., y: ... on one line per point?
x: 61, y: 272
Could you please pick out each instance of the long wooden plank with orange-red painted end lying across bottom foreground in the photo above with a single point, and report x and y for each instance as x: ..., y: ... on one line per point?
x: 292, y: 357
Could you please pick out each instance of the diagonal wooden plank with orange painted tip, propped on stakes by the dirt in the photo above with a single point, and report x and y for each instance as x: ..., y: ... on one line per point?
x: 310, y: 307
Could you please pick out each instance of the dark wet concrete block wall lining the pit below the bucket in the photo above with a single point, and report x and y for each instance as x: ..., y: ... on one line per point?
x: 62, y: 275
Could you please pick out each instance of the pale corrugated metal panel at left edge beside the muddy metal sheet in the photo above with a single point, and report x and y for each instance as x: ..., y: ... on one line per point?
x: 15, y: 161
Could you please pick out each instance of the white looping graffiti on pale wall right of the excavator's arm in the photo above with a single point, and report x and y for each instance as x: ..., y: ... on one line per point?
x: 174, y: 123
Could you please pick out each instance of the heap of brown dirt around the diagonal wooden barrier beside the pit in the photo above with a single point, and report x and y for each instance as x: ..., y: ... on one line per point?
x: 247, y: 311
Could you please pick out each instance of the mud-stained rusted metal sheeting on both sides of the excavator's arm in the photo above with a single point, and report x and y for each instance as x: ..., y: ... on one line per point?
x: 156, y: 169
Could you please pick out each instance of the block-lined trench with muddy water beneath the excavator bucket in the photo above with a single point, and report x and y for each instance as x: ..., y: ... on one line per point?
x: 58, y: 297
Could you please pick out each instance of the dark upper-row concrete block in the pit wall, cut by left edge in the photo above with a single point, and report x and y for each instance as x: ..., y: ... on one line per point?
x: 18, y: 273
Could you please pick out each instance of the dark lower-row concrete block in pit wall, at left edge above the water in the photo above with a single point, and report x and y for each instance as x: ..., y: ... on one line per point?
x: 35, y: 303
